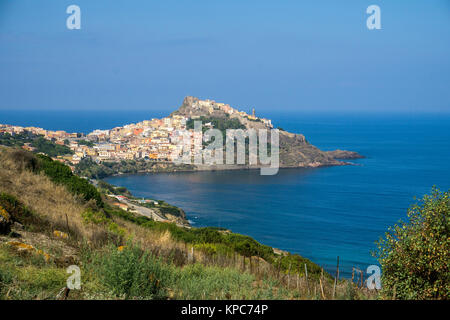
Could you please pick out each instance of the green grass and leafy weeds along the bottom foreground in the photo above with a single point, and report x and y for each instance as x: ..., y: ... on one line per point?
x: 133, y: 273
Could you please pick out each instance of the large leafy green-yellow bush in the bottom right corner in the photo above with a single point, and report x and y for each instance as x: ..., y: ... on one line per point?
x: 415, y: 256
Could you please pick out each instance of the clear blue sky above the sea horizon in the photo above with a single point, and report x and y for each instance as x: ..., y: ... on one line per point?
x: 313, y: 55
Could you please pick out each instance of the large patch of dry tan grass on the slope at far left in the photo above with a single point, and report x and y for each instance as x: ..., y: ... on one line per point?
x: 54, y: 206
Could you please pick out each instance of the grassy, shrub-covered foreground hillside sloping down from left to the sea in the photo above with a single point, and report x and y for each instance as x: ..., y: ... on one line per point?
x: 51, y: 219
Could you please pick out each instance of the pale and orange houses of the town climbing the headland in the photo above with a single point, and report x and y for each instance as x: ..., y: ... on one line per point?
x: 155, y: 139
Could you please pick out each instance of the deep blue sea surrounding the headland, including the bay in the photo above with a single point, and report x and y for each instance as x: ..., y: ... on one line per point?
x: 319, y: 213
